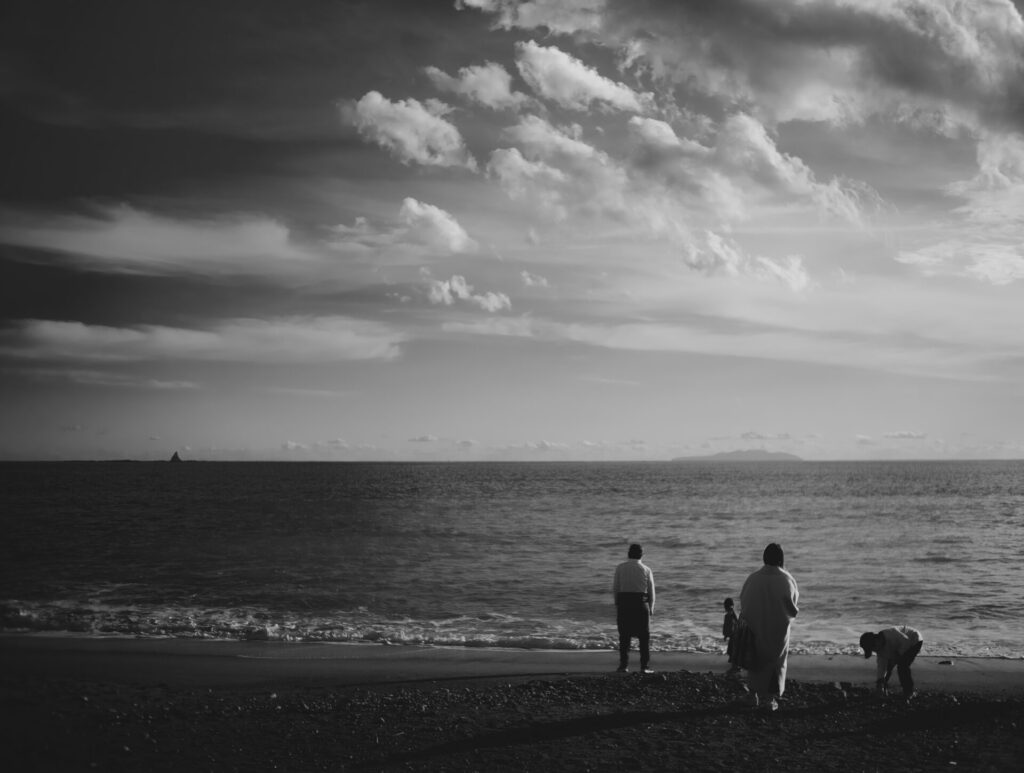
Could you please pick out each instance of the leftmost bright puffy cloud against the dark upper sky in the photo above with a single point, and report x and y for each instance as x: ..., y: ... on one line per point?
x: 412, y: 132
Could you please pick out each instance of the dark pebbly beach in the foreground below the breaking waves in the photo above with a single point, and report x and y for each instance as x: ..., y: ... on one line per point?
x: 107, y: 704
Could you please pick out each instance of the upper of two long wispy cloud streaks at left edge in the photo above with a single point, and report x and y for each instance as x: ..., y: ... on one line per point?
x: 126, y: 240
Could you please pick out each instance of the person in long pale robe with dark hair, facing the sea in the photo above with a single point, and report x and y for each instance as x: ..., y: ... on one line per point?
x: 769, y: 604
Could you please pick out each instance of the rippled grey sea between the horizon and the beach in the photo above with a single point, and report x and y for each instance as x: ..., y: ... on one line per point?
x: 509, y: 555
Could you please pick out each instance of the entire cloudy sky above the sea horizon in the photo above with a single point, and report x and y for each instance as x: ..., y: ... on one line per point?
x: 508, y: 230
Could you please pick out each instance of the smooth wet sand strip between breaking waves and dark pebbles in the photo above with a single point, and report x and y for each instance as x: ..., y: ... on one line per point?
x: 220, y: 663
